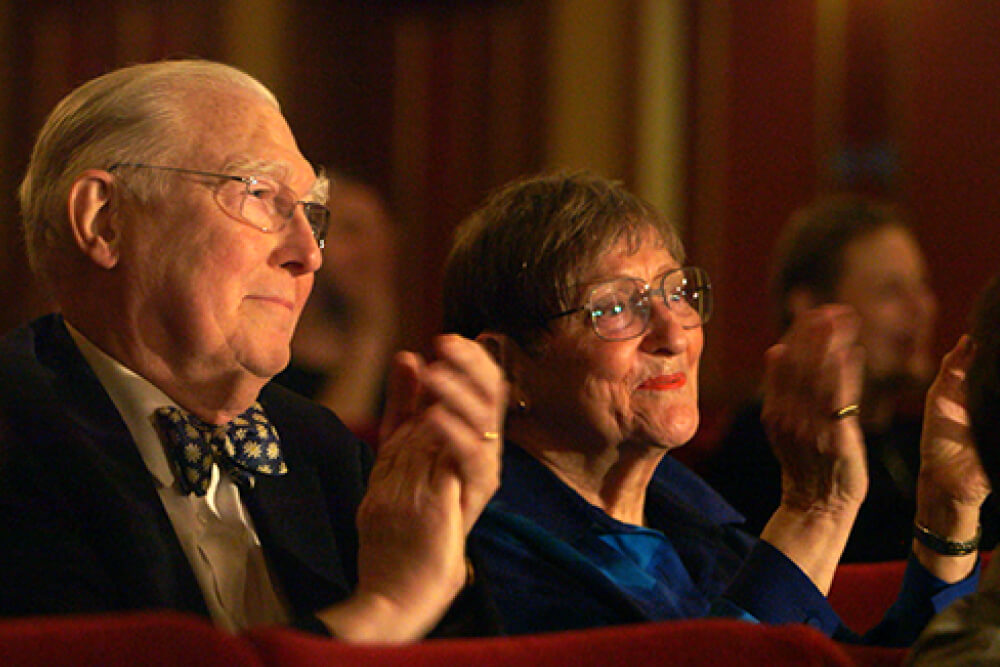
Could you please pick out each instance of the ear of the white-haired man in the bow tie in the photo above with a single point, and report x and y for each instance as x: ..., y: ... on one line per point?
x: 91, y: 212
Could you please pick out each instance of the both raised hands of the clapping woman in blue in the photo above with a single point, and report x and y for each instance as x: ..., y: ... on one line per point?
x: 816, y: 370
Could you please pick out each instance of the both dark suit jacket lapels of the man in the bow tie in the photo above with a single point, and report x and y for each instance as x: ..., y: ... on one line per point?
x: 309, y: 539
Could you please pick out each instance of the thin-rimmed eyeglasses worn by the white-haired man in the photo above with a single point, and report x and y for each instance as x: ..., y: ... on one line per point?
x: 262, y: 202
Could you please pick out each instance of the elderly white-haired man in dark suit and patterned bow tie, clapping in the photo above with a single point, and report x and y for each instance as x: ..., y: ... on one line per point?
x: 146, y: 461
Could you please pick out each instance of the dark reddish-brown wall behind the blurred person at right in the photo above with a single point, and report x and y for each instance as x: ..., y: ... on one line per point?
x: 793, y: 99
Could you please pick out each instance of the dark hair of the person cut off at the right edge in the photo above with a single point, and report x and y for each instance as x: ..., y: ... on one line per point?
x: 983, y: 379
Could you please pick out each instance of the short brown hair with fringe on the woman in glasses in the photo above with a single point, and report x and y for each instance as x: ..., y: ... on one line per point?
x: 514, y: 261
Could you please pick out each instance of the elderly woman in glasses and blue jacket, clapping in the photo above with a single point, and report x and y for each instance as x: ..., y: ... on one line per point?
x: 579, y: 288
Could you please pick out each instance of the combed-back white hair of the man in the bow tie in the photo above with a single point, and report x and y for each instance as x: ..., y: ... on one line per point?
x: 132, y: 114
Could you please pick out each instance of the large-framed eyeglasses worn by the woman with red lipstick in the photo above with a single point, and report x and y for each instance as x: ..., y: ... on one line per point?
x: 620, y: 308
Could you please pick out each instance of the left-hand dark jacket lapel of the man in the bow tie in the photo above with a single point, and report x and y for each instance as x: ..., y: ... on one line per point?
x: 118, y: 497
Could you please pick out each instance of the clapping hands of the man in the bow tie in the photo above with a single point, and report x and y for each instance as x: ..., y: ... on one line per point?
x: 437, y: 467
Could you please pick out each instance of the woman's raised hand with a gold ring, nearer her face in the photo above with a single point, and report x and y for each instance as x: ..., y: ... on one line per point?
x: 812, y: 389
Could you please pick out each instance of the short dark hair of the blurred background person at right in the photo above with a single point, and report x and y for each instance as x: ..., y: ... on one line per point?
x: 810, y: 249
